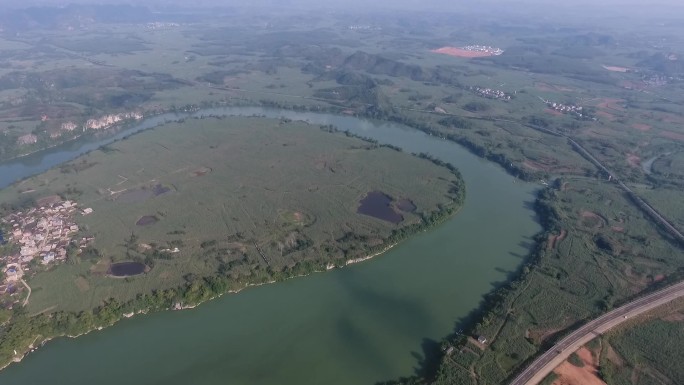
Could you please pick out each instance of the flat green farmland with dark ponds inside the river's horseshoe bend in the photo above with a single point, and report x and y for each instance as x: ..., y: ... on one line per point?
x: 236, y: 195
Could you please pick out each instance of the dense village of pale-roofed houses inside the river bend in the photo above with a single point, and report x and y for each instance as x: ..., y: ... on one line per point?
x: 42, y: 233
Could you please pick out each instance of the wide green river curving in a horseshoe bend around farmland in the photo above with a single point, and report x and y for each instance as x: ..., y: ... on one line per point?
x: 358, y: 325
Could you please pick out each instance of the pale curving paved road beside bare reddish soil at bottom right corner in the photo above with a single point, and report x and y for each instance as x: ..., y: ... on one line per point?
x: 548, y: 361
